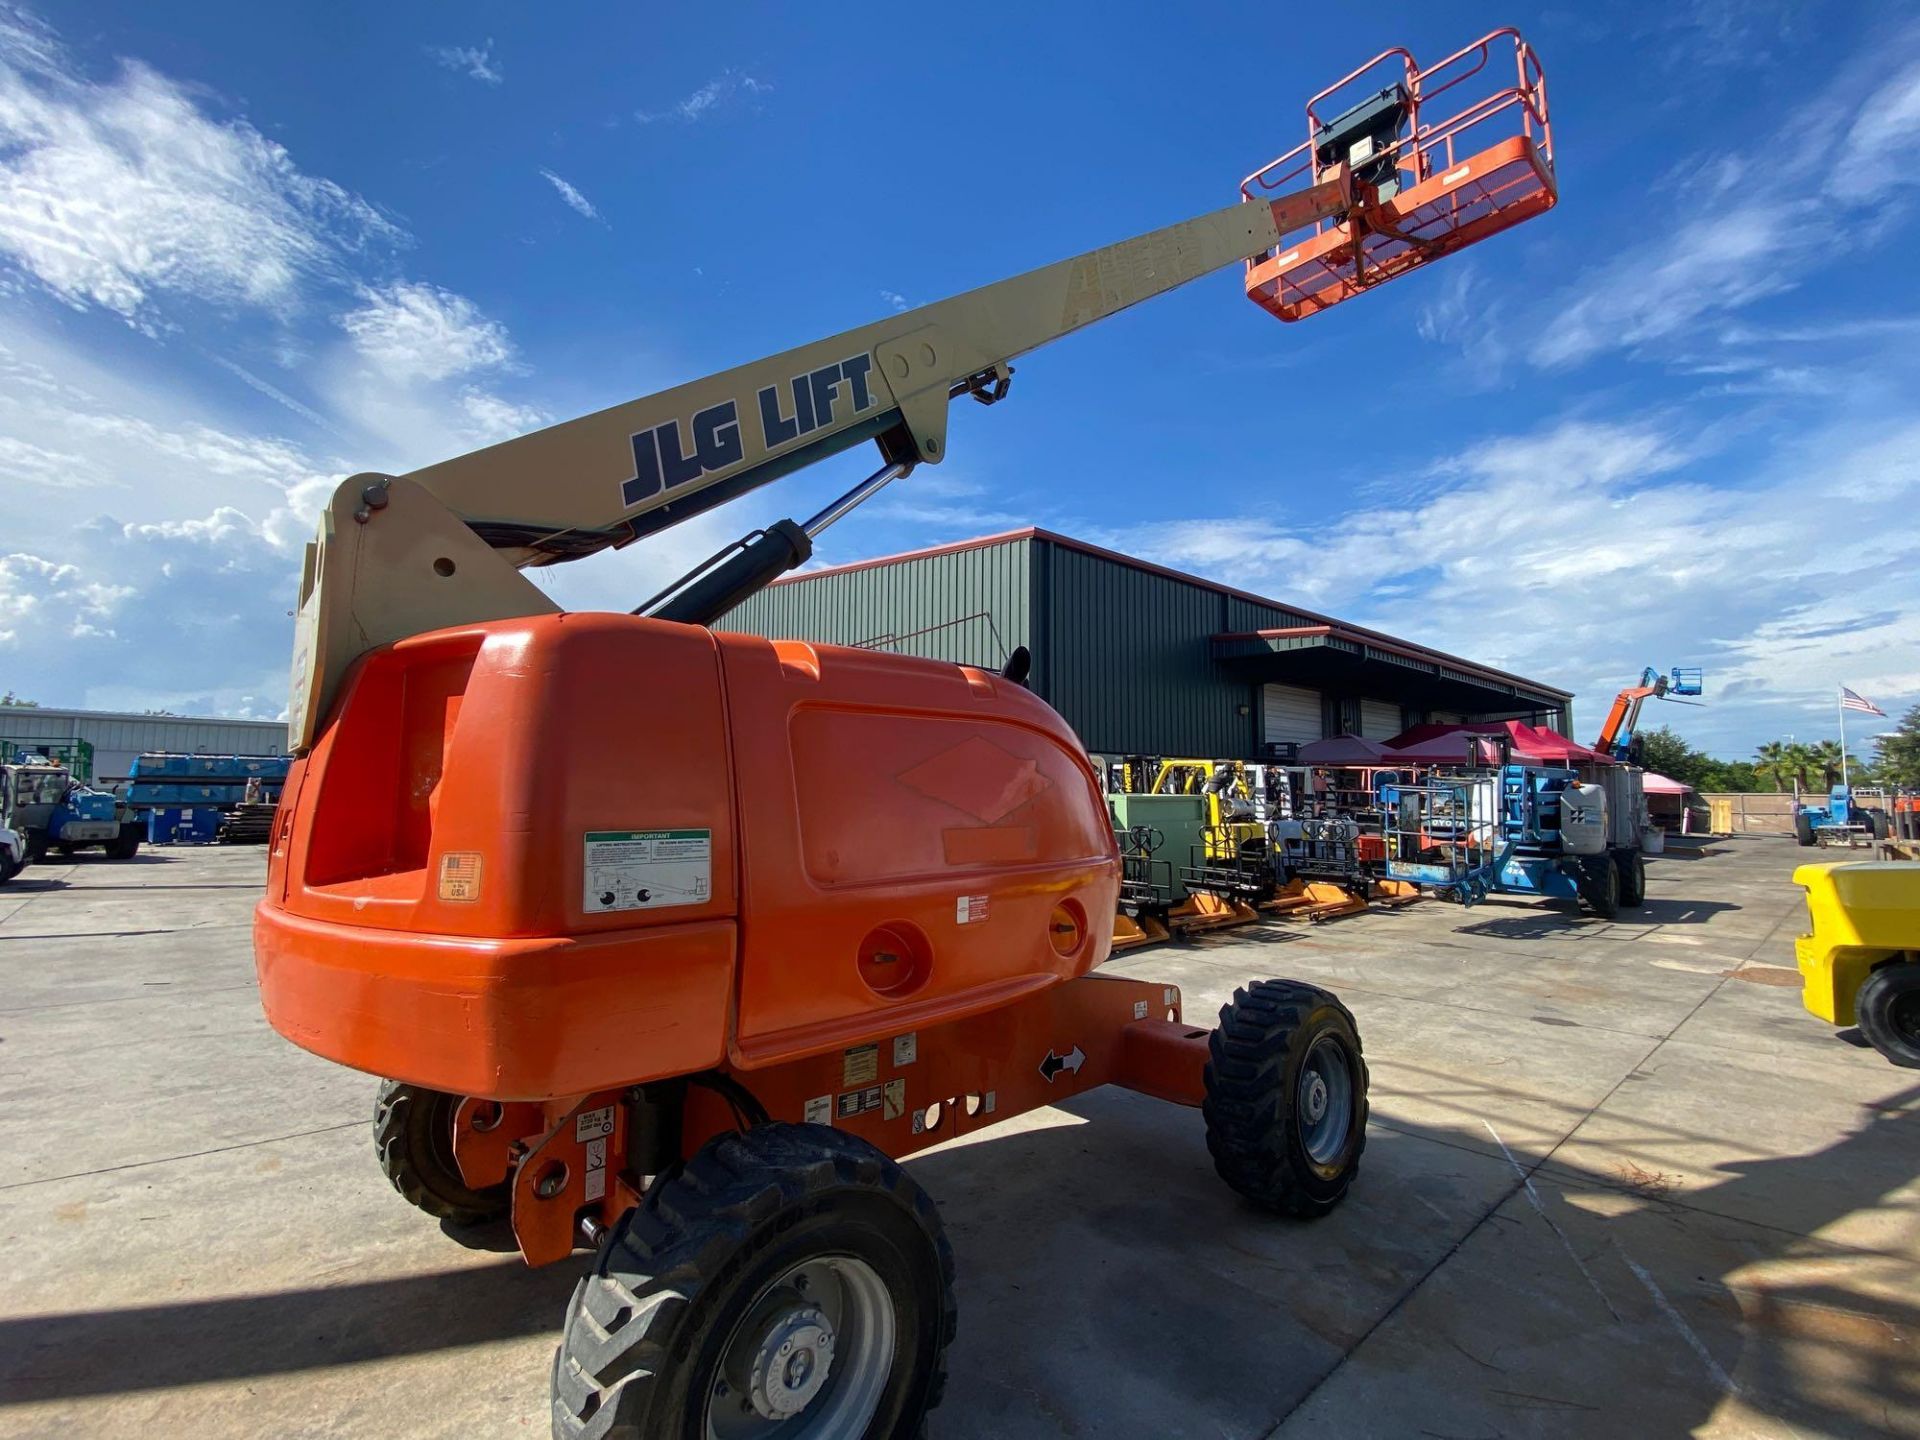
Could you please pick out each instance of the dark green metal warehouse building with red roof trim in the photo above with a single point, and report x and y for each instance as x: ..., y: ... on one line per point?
x: 1141, y: 660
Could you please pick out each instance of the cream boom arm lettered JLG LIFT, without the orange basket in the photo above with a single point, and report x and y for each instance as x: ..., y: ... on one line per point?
x: 398, y: 556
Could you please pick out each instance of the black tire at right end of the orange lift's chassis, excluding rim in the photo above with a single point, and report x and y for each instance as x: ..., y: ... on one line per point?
x: 1253, y: 1074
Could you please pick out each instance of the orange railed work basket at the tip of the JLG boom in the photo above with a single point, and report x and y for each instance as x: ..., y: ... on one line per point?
x: 1439, y: 156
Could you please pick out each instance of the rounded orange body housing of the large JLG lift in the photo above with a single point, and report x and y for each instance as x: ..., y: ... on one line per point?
x: 535, y: 859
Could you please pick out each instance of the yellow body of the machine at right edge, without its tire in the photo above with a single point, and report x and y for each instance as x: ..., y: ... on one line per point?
x: 1863, y: 913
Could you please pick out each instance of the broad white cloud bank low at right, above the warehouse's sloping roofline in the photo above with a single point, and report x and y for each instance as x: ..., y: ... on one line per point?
x: 1583, y: 552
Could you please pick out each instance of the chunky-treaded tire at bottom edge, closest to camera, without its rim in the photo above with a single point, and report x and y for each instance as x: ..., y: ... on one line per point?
x: 667, y: 1270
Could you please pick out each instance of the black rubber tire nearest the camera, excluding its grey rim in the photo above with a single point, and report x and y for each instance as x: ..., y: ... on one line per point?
x: 648, y: 1328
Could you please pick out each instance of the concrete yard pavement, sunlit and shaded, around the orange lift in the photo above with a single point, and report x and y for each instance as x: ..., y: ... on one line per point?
x: 1616, y: 1184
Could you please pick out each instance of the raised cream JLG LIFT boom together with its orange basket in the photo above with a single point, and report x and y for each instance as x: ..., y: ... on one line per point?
x: 1374, y: 193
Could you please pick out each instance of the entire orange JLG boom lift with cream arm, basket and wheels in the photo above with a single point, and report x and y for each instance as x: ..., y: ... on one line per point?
x: 673, y: 942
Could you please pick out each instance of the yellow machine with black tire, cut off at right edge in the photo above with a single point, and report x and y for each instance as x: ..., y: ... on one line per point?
x: 1861, y: 961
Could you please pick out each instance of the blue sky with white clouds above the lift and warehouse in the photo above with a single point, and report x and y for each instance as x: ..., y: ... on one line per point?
x: 251, y: 251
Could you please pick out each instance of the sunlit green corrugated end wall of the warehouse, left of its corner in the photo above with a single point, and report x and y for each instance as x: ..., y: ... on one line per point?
x: 969, y: 608
